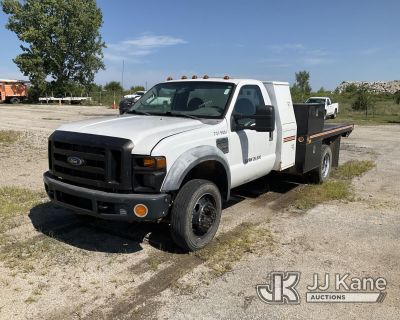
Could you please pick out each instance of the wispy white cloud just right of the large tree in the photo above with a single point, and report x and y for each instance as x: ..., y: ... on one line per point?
x: 135, y: 50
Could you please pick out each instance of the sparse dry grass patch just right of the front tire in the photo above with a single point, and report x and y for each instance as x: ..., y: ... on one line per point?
x: 221, y: 255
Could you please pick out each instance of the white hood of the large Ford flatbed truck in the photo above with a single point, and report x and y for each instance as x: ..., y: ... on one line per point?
x: 144, y: 131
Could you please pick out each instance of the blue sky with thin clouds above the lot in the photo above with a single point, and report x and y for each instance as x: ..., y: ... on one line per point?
x: 268, y: 40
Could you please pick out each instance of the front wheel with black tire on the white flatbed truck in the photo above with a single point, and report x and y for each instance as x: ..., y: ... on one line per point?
x: 196, y: 214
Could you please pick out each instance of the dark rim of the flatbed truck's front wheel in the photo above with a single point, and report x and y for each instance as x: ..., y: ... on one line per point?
x: 204, y: 215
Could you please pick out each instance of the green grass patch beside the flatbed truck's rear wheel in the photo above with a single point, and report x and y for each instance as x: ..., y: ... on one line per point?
x: 338, y: 188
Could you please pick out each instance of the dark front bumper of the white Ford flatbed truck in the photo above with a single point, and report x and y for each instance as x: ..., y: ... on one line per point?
x: 112, y: 206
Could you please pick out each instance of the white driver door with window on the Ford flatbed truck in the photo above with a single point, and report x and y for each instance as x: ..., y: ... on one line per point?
x: 253, y: 153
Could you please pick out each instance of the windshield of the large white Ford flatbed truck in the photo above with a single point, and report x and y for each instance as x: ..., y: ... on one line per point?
x: 199, y: 99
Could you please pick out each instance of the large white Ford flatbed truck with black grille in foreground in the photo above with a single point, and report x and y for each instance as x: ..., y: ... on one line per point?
x: 177, y: 153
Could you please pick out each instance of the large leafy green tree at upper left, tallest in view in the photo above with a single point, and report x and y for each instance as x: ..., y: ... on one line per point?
x: 60, y: 41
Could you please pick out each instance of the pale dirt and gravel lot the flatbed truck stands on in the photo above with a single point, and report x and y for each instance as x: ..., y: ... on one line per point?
x: 66, y: 268
